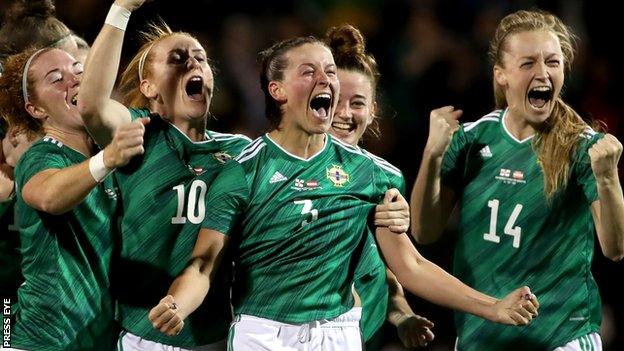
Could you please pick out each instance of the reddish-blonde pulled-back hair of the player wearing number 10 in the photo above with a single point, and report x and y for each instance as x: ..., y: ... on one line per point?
x: 130, y: 82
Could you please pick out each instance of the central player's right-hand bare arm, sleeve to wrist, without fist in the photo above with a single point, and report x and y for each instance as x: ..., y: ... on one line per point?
x: 425, y: 279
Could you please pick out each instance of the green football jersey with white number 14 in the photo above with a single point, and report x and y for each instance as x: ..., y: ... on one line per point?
x: 511, y: 235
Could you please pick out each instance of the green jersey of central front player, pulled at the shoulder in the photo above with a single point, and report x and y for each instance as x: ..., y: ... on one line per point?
x: 296, y: 227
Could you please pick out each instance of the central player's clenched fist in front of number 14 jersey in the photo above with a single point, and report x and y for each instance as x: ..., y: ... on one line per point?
x: 517, y: 308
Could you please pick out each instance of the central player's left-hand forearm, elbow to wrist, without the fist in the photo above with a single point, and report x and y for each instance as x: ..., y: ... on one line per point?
x: 190, y: 288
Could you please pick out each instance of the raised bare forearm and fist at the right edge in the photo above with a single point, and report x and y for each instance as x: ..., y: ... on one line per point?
x: 608, y: 211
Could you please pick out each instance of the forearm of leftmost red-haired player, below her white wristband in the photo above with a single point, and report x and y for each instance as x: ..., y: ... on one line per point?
x: 57, y: 191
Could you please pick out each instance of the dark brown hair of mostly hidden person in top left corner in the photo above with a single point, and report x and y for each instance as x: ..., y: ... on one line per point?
x: 31, y: 23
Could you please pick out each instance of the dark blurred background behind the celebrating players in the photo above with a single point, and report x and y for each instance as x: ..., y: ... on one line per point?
x: 431, y: 53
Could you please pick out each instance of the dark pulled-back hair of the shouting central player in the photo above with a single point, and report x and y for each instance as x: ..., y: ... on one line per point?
x: 273, y: 63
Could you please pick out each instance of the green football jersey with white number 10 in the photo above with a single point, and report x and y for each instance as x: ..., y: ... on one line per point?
x: 162, y: 206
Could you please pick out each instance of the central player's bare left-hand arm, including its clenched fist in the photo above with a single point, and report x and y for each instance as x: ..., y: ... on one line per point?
x: 191, y: 287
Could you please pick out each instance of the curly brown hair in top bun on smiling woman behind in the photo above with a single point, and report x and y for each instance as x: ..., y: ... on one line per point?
x: 349, y: 50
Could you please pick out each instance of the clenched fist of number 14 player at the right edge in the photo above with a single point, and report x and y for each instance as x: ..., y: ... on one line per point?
x: 604, y: 156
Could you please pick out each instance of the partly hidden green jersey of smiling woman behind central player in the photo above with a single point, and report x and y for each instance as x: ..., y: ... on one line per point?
x: 371, y: 281
